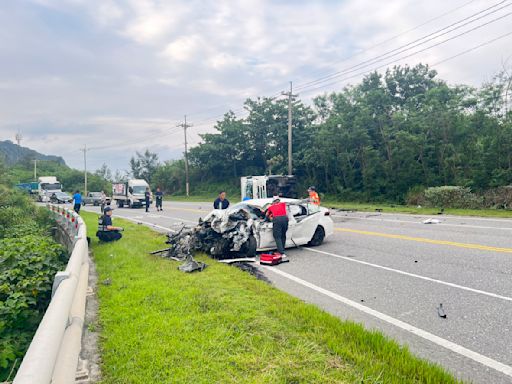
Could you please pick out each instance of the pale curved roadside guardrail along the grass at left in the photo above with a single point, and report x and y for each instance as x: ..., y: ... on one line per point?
x: 52, y: 356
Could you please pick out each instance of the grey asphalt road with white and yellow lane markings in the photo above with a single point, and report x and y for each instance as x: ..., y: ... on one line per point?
x: 391, y: 272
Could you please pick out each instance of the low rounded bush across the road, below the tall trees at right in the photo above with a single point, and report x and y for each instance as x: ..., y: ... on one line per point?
x: 452, y: 197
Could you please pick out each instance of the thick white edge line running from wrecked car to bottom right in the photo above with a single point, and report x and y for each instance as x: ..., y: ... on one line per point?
x: 475, y: 356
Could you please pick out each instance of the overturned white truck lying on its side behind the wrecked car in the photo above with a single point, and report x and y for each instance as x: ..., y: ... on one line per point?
x: 262, y: 187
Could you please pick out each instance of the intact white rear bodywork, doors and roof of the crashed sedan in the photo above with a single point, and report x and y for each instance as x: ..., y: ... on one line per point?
x: 304, y: 219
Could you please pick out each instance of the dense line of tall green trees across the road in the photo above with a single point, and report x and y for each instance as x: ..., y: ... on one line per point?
x: 391, y: 134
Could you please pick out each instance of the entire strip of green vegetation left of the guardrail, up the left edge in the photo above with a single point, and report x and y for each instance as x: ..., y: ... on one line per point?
x: 29, y: 259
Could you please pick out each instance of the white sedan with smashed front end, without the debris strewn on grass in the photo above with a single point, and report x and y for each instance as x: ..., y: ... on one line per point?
x: 245, y: 226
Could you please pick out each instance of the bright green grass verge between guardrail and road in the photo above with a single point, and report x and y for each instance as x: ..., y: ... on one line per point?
x: 159, y: 325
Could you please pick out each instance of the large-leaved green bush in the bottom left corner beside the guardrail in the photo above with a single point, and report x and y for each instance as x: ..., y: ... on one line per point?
x: 27, y: 267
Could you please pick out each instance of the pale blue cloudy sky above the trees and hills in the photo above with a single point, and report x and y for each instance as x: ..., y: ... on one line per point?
x: 119, y: 76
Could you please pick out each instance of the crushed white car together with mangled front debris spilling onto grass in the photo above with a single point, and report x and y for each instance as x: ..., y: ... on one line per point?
x: 242, y: 230
